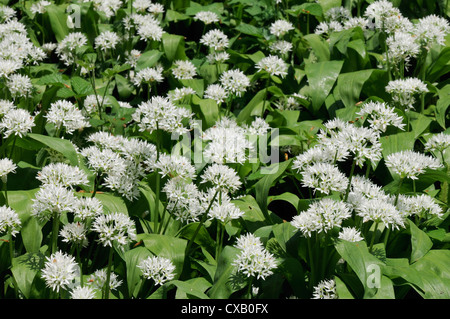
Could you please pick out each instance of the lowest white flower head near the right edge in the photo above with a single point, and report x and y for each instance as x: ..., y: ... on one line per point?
x: 423, y: 206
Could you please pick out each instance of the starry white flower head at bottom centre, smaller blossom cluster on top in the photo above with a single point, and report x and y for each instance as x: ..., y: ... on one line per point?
x: 253, y: 259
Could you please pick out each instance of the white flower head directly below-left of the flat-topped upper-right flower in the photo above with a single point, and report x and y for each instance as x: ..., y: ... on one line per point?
x: 380, y: 116
